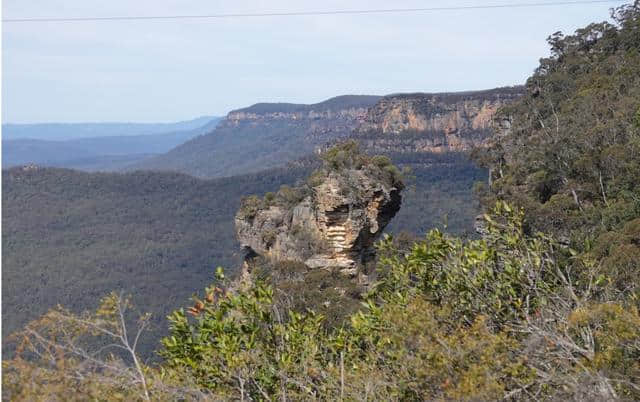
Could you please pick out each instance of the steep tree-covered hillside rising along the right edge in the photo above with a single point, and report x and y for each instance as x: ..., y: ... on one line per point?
x: 569, y: 151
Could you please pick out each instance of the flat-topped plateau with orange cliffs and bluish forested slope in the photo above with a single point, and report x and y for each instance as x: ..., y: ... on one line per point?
x: 268, y: 135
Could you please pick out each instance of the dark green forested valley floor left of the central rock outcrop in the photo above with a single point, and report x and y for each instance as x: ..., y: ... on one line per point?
x: 71, y: 237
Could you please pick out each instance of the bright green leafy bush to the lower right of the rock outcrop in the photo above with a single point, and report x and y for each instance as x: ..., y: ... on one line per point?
x: 504, y: 275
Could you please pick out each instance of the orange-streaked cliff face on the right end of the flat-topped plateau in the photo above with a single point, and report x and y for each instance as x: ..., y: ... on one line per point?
x: 433, y: 122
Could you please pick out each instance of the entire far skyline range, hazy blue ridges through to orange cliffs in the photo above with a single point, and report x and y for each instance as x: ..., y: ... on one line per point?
x: 266, y: 135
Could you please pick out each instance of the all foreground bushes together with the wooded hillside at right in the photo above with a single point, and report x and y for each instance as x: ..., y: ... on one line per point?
x: 543, y: 306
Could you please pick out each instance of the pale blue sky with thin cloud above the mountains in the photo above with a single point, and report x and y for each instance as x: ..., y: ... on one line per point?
x: 170, y: 70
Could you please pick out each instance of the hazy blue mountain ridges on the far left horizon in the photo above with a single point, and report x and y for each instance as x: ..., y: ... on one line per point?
x: 120, y: 148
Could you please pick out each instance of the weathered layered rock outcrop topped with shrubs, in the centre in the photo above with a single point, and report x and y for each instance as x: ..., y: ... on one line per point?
x: 333, y: 224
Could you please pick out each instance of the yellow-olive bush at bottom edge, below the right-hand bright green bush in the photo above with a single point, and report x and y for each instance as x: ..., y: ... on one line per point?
x: 415, y: 351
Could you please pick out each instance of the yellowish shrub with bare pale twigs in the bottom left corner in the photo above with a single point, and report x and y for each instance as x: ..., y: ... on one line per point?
x: 93, y: 354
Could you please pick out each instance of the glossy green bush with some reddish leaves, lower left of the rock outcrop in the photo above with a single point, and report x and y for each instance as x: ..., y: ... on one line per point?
x: 238, y: 342
